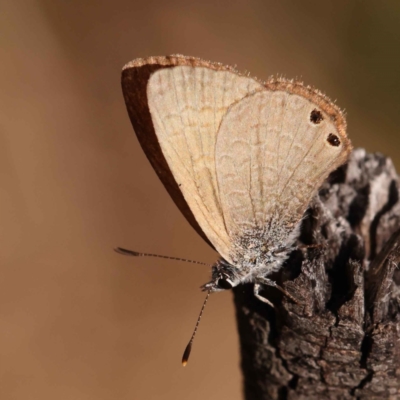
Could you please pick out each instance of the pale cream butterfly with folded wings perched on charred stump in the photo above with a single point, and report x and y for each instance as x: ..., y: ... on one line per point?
x: 241, y: 158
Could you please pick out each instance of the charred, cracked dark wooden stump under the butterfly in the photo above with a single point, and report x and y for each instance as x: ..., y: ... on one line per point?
x: 342, y: 340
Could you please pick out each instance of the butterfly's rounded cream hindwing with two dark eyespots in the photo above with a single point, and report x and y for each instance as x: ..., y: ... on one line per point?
x: 272, y: 155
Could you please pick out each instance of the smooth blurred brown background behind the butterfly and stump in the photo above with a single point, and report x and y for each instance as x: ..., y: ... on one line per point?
x: 78, y: 321
